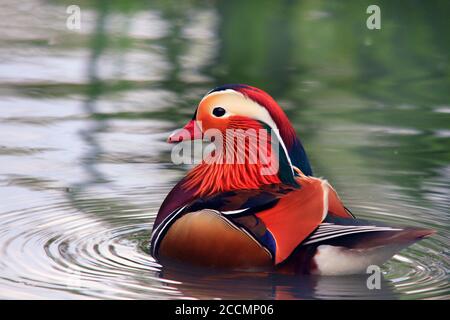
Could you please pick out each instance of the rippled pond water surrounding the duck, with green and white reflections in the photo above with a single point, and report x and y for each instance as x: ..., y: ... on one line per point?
x: 84, y: 116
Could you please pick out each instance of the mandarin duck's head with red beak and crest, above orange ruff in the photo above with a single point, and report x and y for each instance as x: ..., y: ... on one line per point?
x: 241, y: 106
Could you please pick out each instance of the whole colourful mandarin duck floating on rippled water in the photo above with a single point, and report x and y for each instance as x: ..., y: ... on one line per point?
x: 251, y: 204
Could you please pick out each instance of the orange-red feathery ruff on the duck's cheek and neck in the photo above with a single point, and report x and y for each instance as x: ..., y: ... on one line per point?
x: 240, y: 160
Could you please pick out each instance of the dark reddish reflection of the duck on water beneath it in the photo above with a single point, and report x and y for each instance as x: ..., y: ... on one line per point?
x: 207, y: 283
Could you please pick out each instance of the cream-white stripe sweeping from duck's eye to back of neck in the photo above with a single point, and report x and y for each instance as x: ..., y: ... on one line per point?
x: 235, y: 103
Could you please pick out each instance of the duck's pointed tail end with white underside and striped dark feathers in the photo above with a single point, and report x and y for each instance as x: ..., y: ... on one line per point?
x: 342, y: 246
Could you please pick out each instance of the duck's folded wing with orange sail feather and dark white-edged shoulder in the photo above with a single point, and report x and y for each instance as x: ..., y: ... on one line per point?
x: 279, y: 217
